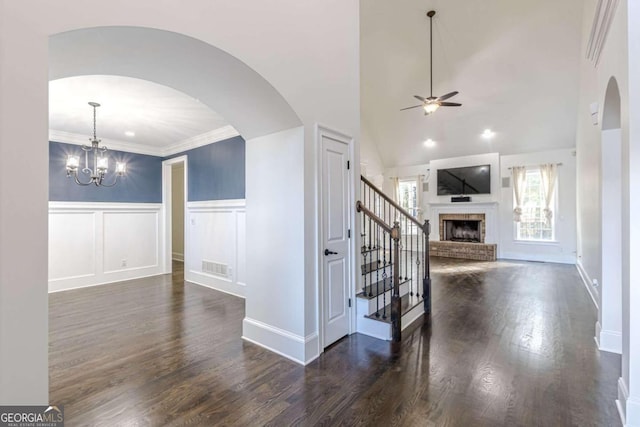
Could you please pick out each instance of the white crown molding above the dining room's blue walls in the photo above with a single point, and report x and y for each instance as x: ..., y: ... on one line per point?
x: 206, y: 138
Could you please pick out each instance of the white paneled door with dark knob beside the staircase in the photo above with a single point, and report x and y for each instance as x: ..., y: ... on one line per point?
x: 335, y: 228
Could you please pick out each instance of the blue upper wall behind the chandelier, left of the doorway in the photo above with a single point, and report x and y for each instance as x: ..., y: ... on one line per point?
x: 142, y: 183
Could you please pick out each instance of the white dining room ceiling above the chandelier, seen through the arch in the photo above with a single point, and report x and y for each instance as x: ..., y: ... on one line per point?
x: 158, y: 115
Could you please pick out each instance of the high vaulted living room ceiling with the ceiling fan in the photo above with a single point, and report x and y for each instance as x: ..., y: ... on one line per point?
x: 515, y: 64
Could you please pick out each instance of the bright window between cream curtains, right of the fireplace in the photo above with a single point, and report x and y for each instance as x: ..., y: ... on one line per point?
x: 533, y: 224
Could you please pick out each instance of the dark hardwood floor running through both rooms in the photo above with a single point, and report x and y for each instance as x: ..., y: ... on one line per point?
x: 509, y: 344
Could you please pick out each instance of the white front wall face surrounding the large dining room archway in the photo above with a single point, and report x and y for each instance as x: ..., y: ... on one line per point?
x: 314, y: 67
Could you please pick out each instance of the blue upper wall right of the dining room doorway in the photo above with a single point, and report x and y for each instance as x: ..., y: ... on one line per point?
x: 216, y: 171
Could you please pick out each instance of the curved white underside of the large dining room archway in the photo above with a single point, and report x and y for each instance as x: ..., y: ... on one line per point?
x: 198, y: 69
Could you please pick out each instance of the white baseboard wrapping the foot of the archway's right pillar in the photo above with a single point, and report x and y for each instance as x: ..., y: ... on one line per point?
x: 281, y: 342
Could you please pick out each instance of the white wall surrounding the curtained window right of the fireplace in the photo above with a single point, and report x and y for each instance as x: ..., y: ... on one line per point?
x: 563, y: 249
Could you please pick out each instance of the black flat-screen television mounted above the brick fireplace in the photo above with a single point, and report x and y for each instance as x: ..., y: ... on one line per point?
x: 466, y: 180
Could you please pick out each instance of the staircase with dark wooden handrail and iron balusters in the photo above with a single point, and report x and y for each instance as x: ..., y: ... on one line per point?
x: 395, y: 288
